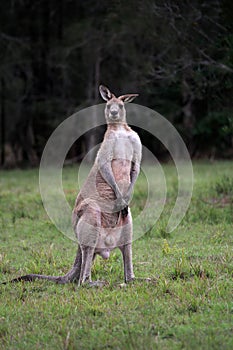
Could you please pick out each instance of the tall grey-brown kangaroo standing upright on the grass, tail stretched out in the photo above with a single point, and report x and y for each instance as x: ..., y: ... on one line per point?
x: 101, y: 216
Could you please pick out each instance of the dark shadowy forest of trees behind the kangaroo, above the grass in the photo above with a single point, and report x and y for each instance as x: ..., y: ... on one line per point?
x: 54, y: 54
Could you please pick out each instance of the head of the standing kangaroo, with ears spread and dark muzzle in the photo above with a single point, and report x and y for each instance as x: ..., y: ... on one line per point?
x: 115, y: 109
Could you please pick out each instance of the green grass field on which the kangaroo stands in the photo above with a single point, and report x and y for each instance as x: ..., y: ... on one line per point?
x: 187, y: 304
